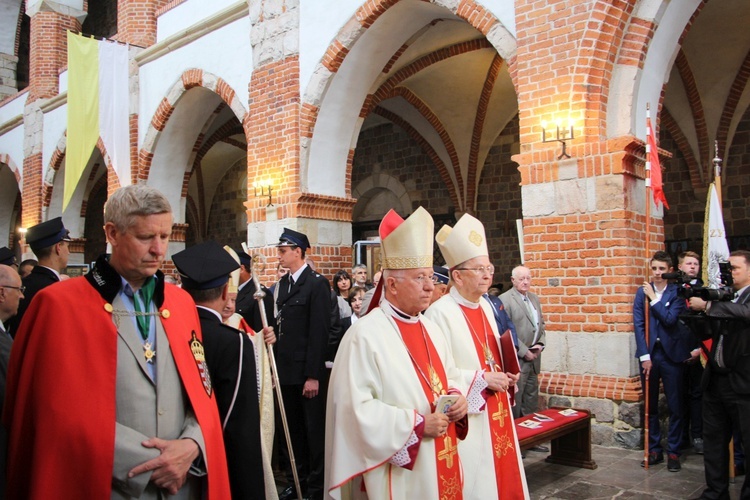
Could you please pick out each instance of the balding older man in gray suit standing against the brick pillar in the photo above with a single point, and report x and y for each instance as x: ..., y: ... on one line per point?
x: 525, y: 312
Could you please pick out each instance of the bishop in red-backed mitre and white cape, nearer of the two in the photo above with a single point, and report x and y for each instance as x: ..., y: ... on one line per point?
x: 390, y: 423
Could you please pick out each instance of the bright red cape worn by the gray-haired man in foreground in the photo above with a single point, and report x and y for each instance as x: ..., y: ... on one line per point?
x: 60, y: 399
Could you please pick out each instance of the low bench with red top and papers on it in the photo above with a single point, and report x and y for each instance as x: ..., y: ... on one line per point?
x: 570, y: 437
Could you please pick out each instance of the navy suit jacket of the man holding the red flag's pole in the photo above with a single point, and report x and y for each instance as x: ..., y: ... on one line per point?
x: 663, y: 325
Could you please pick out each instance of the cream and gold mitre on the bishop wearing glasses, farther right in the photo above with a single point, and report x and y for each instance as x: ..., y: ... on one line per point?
x: 462, y: 242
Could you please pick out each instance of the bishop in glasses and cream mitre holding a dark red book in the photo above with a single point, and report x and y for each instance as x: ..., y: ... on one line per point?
x: 490, y: 454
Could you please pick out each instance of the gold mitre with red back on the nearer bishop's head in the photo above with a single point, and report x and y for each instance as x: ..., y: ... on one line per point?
x: 407, y: 244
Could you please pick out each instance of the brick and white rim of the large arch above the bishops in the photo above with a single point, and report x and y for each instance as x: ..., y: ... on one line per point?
x: 370, y: 11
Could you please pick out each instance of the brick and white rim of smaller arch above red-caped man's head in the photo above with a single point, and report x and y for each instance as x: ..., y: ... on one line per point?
x: 190, y: 79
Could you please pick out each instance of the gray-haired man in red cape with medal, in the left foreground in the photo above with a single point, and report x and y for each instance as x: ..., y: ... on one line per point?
x: 108, y: 394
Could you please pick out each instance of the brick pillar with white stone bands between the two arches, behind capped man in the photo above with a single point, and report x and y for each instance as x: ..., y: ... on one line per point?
x: 273, y: 155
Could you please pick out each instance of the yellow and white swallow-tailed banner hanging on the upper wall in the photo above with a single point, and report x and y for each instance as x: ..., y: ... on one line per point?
x: 98, y: 101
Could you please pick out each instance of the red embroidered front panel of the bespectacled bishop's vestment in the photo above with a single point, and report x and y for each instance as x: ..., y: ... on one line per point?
x: 507, y: 472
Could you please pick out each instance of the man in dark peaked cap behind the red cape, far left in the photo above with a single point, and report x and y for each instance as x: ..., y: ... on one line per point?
x: 50, y: 243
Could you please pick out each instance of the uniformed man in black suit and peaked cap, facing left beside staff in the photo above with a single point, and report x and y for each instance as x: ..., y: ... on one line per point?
x: 303, y: 308
